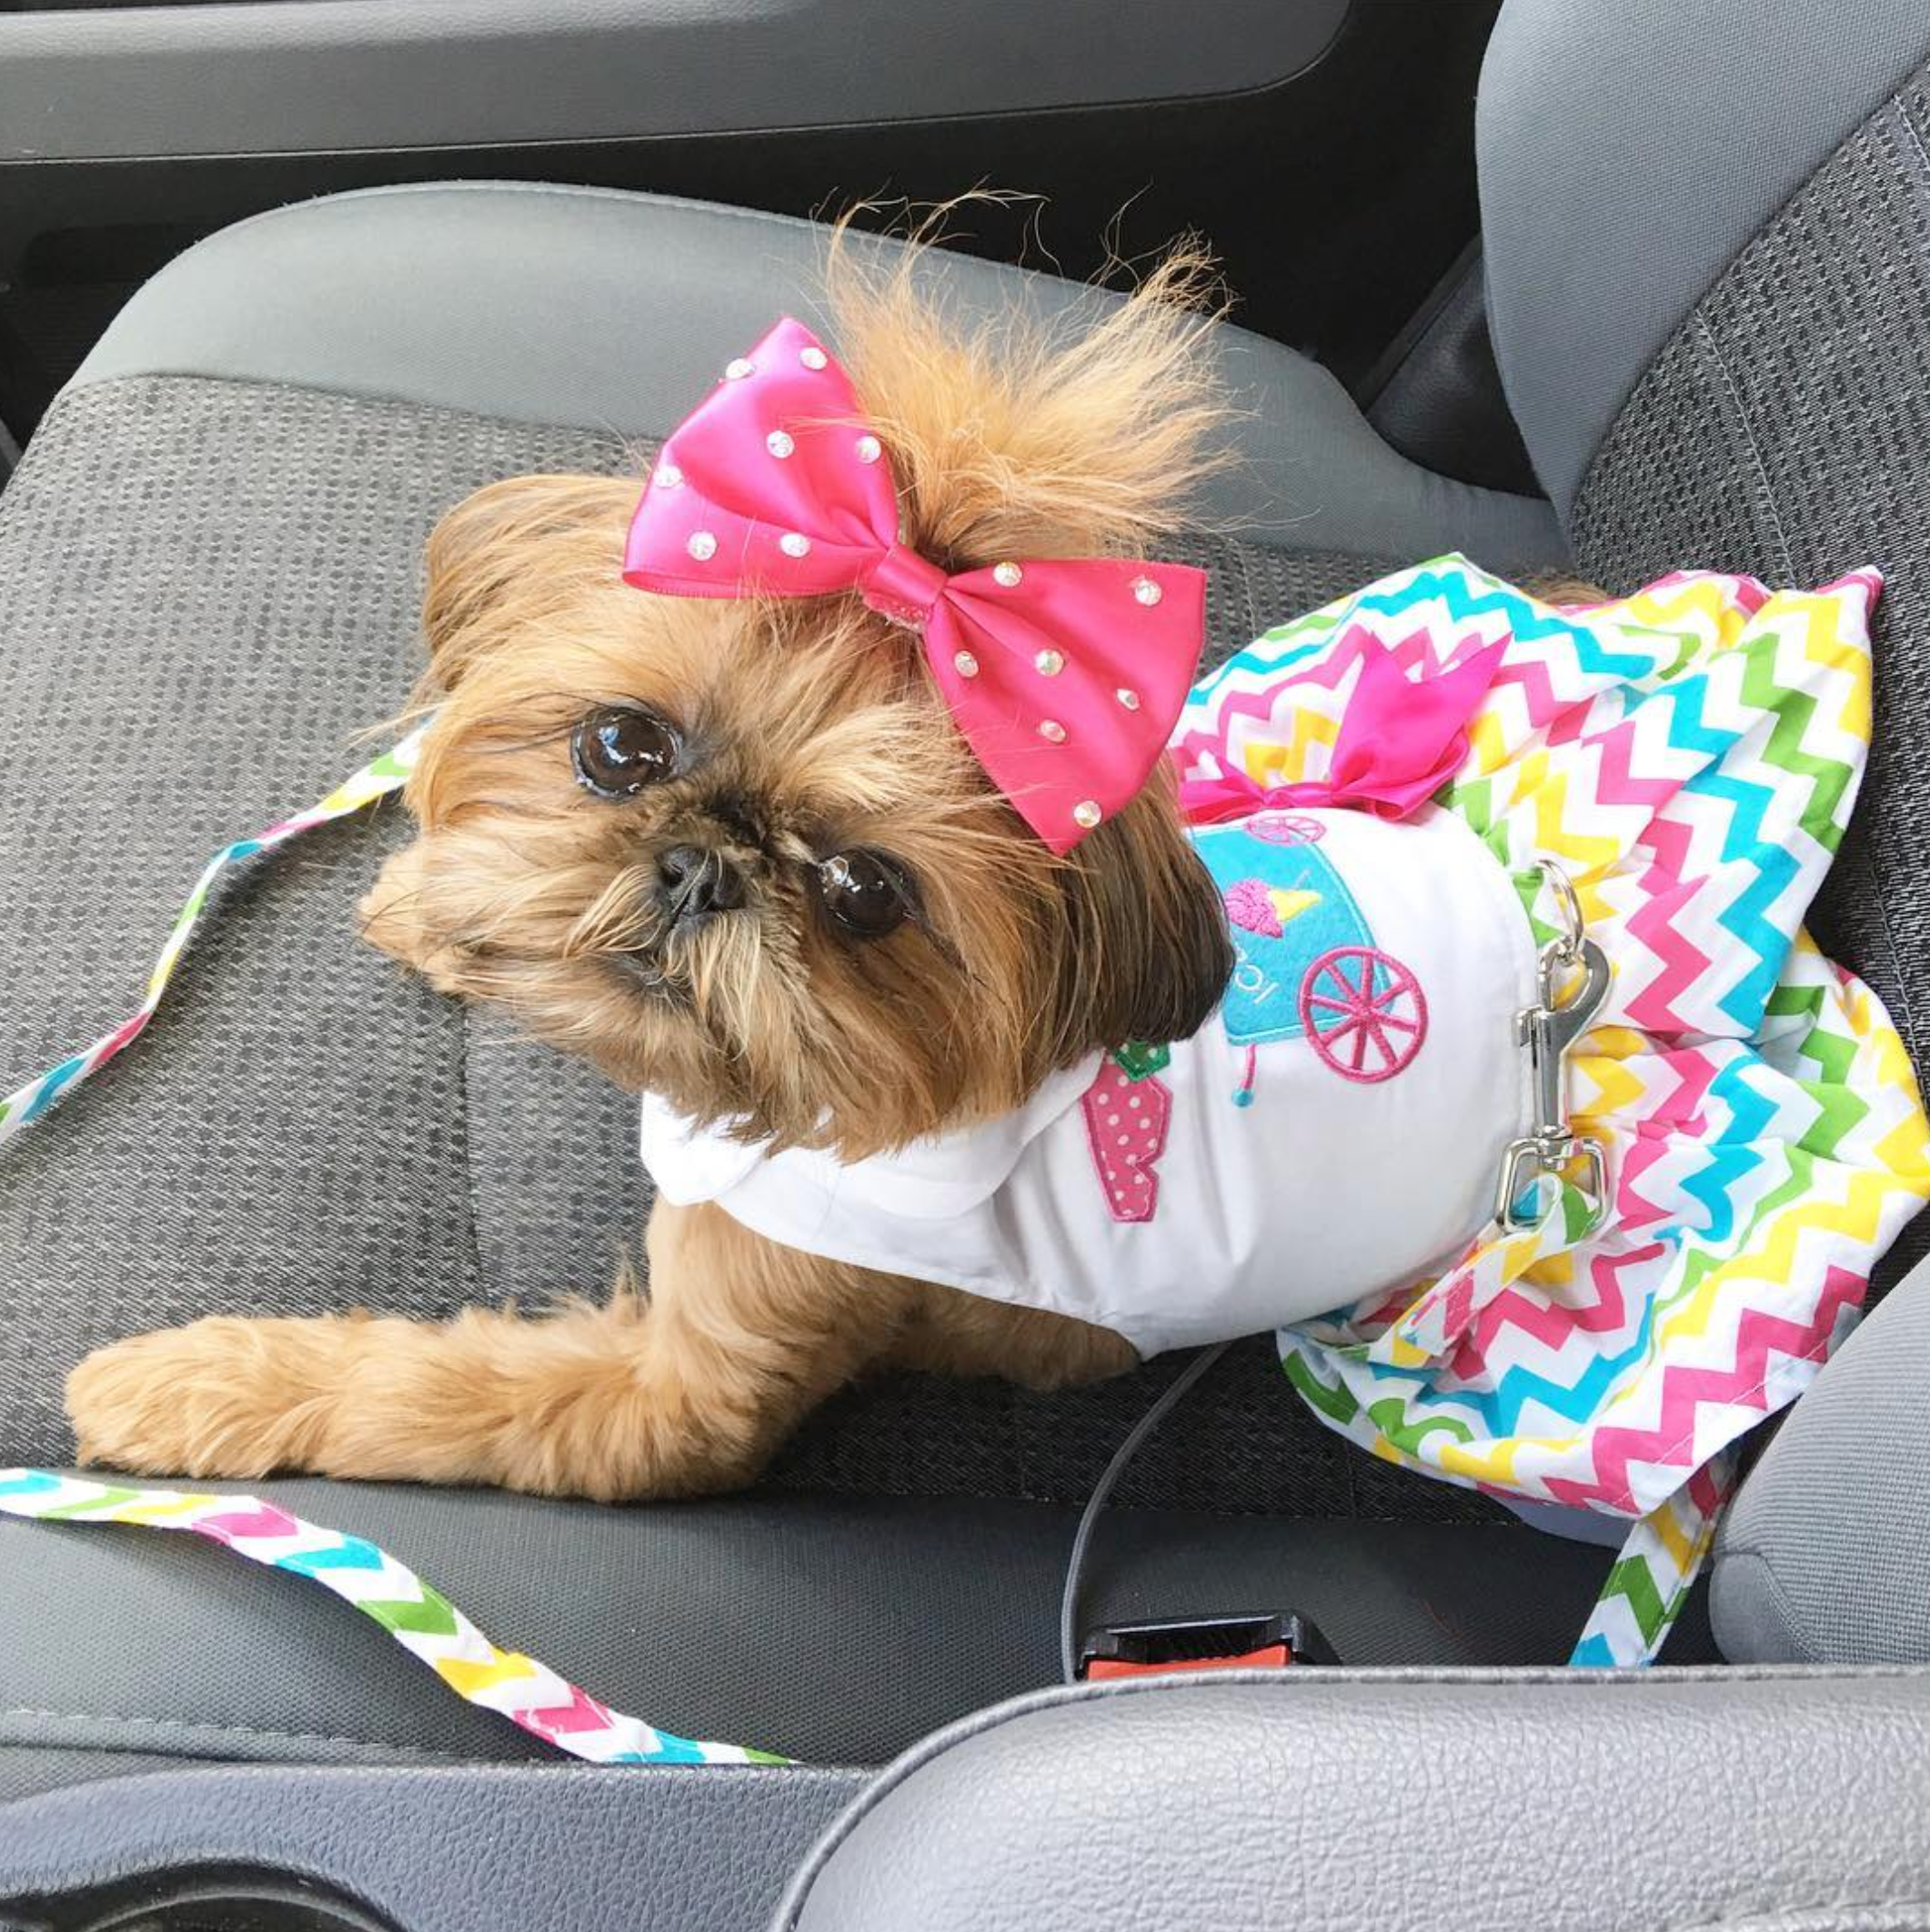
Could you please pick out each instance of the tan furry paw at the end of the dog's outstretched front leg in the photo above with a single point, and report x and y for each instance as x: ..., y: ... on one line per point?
x: 221, y: 1398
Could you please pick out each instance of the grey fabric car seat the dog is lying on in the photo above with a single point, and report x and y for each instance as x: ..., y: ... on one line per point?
x: 1707, y: 277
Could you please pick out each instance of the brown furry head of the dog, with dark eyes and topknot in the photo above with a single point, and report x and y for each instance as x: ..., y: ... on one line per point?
x: 737, y: 853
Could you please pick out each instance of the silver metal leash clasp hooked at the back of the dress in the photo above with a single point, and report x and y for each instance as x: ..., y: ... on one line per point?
x: 1574, y: 982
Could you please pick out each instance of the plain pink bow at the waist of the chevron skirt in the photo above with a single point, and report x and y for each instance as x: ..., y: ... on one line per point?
x: 1400, y: 743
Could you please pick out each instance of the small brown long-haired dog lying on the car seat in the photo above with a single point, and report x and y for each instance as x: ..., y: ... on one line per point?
x: 897, y: 953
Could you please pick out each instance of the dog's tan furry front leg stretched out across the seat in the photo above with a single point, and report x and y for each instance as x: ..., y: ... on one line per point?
x: 681, y: 1394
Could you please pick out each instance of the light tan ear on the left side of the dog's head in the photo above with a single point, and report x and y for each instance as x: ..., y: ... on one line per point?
x: 513, y: 552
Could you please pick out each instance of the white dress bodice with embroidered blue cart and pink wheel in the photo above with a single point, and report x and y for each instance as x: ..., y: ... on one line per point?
x: 1234, y: 1181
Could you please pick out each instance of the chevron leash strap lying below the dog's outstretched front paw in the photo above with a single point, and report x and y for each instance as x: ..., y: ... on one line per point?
x: 391, y: 1595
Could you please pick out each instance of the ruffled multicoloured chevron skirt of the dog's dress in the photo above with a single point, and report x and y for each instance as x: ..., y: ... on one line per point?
x: 1689, y: 758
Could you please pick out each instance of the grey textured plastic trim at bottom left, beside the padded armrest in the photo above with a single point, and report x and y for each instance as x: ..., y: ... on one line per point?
x: 461, y: 1850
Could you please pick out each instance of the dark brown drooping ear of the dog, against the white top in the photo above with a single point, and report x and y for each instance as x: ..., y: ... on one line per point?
x: 1150, y: 953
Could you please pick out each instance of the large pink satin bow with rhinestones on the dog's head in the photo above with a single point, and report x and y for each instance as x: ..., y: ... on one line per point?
x: 1065, y: 675
